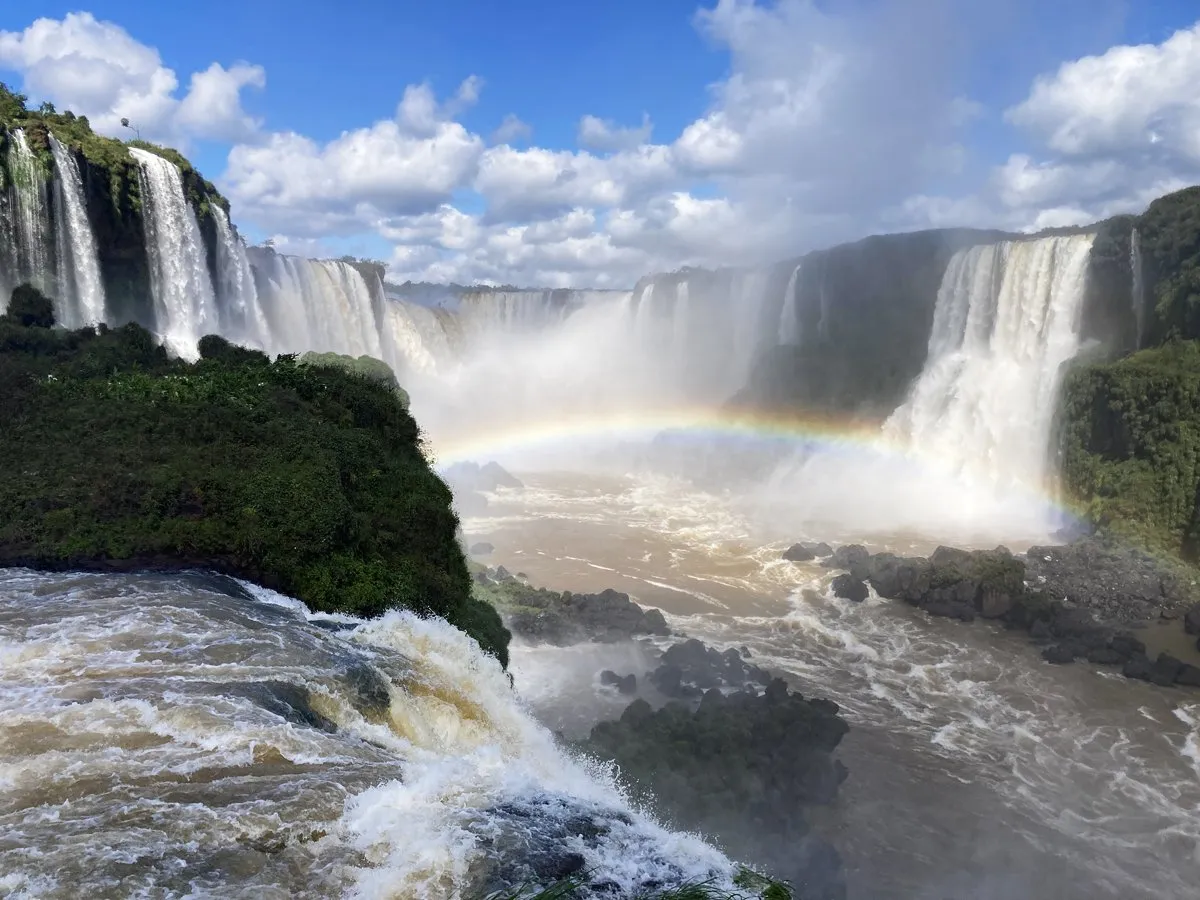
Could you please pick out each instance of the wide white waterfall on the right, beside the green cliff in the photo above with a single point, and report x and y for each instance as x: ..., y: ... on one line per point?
x: 1006, y: 321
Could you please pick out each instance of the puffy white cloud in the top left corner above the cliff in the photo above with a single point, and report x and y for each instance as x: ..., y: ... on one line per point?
x: 99, y: 70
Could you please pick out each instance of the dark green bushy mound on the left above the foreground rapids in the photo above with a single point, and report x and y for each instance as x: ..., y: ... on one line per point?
x: 308, y: 479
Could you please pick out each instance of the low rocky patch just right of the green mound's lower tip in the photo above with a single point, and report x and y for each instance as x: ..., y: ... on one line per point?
x: 563, y: 619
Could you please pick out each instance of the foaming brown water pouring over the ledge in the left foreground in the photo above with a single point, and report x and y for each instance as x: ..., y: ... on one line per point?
x: 184, y: 736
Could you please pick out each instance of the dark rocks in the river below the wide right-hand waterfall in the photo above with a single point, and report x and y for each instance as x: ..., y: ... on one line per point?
x: 1060, y: 611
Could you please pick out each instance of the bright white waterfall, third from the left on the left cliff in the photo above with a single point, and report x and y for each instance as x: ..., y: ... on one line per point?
x: 185, y: 304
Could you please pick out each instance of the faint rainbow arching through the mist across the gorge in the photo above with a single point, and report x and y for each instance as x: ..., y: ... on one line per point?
x: 854, y: 437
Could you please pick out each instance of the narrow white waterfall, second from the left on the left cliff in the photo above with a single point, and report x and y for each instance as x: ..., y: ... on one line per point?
x: 81, y: 287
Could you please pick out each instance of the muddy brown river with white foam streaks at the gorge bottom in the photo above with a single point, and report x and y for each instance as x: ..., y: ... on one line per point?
x: 977, y: 771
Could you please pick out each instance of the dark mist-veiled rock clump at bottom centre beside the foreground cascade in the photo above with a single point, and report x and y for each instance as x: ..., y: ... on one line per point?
x: 742, y: 767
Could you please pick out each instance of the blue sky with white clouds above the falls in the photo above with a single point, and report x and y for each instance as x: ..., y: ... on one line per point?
x: 585, y: 145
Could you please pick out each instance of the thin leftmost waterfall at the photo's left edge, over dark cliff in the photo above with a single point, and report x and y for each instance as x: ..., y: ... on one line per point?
x: 31, y: 225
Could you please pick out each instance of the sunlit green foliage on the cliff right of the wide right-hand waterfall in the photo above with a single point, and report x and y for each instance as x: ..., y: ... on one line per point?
x: 1132, y: 445
